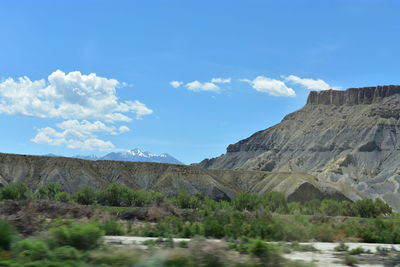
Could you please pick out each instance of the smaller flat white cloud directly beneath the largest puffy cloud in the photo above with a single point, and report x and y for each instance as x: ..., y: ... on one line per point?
x: 78, y: 135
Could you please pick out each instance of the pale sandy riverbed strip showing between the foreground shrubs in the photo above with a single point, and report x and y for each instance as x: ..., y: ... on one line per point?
x: 324, y: 254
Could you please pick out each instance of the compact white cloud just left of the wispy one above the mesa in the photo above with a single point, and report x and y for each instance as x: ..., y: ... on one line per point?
x: 270, y: 86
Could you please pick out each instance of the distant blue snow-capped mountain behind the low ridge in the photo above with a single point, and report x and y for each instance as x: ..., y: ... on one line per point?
x: 133, y: 155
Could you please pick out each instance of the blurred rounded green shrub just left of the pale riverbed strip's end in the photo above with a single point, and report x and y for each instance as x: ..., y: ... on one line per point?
x: 82, y: 237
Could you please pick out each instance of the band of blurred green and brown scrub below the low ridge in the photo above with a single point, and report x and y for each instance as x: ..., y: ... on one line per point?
x: 50, y: 227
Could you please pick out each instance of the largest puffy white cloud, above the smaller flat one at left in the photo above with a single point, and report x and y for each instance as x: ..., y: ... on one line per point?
x: 68, y: 96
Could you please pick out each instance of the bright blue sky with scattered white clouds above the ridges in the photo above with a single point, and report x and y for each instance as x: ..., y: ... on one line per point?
x: 98, y: 73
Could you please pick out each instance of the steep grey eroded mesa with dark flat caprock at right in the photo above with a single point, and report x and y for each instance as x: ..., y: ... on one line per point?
x: 347, y: 137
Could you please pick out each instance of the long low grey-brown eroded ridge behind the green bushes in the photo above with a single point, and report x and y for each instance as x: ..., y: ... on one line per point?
x: 73, y: 174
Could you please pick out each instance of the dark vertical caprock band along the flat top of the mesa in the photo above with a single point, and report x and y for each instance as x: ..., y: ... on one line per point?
x: 352, y: 96
